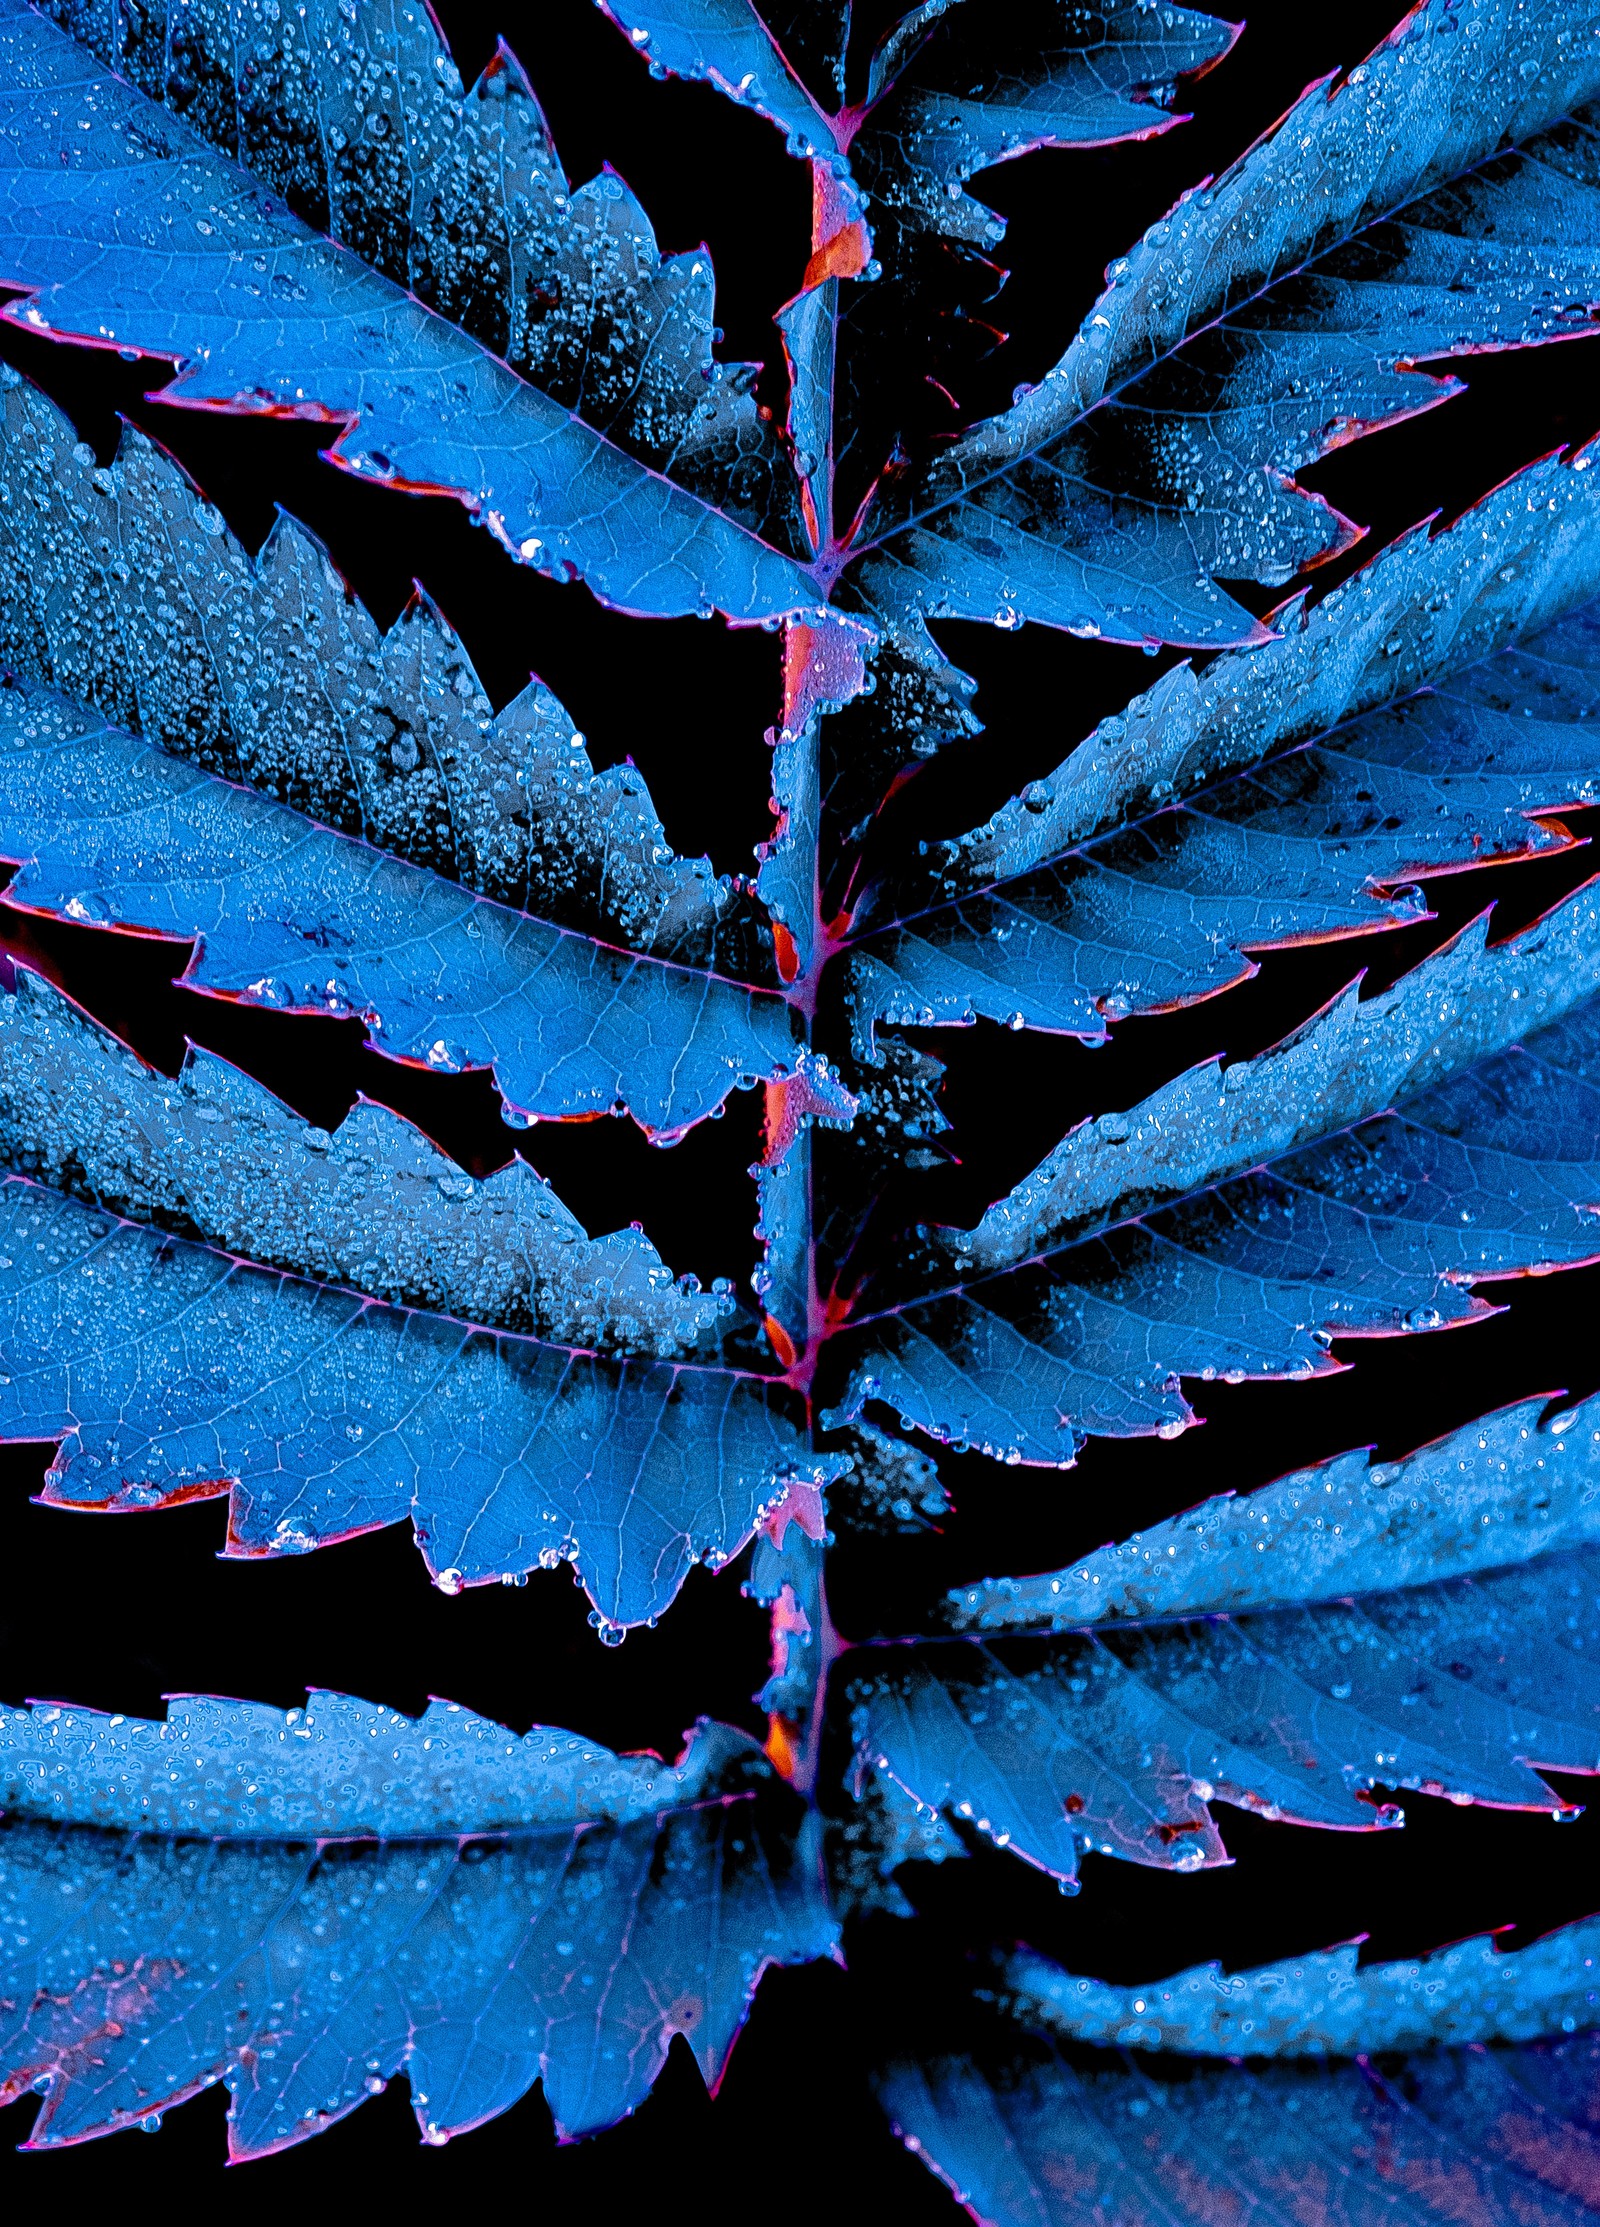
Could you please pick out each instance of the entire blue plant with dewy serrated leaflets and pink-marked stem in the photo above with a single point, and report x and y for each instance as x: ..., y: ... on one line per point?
x: 202, y: 1295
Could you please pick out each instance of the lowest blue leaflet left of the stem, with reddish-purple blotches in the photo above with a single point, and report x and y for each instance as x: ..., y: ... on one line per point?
x: 496, y: 1912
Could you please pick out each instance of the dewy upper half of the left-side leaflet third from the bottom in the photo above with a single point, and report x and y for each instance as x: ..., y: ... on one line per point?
x: 126, y: 591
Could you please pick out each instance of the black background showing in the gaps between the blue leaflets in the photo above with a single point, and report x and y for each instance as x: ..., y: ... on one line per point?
x: 119, y: 1613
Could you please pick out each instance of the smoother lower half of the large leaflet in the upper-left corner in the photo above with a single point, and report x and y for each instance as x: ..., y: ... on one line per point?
x: 148, y: 237
